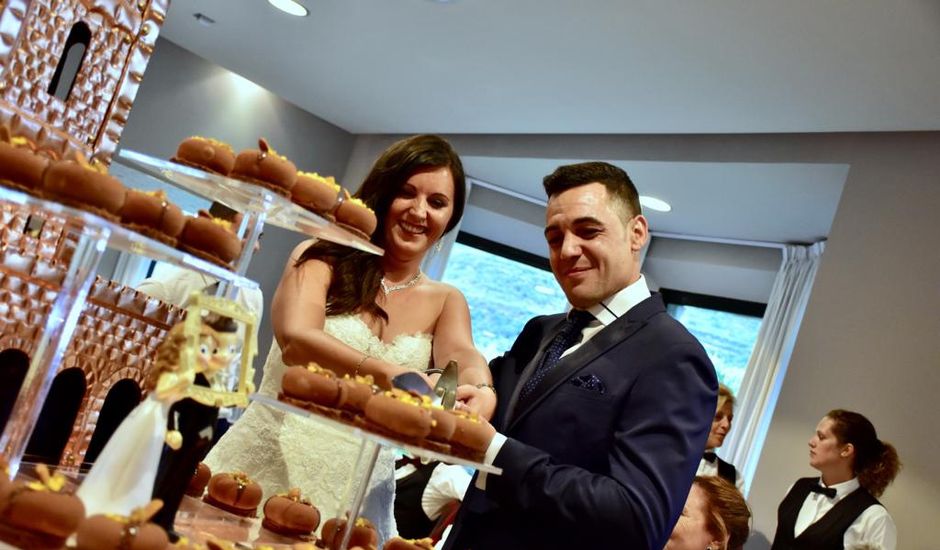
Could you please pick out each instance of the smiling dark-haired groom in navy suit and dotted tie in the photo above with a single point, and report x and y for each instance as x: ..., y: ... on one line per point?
x: 603, y: 412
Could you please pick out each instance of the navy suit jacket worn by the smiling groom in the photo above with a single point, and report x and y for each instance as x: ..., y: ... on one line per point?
x: 601, y: 454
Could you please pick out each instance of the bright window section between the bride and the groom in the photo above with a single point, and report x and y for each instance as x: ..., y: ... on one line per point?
x: 504, y: 288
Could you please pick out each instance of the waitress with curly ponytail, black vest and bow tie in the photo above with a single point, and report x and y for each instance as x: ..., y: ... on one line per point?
x: 840, y: 508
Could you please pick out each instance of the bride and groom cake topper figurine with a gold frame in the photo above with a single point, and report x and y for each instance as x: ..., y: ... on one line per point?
x: 188, y: 363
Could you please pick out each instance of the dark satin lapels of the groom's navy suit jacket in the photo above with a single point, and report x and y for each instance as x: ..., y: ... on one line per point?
x: 618, y: 331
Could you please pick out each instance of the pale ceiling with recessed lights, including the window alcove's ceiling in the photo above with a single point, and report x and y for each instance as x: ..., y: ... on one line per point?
x: 603, y: 67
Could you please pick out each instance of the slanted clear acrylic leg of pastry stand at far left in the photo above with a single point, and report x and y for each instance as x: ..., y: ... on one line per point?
x: 60, y: 324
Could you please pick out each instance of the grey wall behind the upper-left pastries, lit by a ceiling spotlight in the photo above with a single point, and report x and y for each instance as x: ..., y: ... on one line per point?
x: 183, y: 95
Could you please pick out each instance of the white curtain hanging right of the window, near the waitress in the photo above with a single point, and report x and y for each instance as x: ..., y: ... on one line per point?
x: 757, y: 396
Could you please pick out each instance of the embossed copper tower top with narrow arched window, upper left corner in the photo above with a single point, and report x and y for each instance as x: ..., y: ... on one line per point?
x: 32, y: 39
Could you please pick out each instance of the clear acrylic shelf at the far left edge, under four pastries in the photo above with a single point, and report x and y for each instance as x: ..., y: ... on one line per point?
x: 127, y: 240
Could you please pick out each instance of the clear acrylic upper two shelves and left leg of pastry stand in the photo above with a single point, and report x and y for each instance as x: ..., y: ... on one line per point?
x: 93, y: 234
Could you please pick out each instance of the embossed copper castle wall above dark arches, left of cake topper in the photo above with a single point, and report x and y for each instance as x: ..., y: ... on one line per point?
x: 118, y: 330
